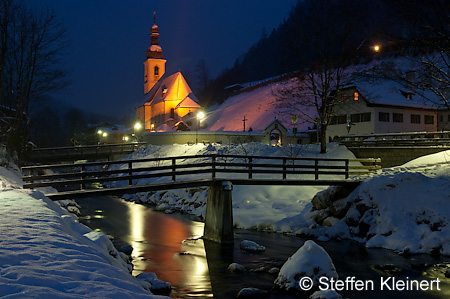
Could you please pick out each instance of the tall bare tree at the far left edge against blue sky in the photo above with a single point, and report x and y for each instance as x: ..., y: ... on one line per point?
x: 31, y: 47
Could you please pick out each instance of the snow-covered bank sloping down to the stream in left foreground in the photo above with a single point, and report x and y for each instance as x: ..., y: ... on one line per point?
x: 46, y: 253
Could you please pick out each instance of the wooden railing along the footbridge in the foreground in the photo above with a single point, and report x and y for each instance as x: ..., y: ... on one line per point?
x: 196, y: 166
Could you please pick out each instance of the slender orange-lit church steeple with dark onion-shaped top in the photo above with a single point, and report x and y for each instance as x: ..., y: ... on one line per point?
x: 155, y: 65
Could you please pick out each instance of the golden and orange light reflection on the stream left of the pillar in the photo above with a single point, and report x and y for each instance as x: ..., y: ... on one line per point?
x: 159, y: 242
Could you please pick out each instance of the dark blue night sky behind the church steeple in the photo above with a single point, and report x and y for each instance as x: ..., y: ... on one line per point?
x: 108, y: 41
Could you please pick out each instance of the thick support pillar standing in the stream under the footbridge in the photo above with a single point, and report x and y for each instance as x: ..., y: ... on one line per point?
x: 219, y: 213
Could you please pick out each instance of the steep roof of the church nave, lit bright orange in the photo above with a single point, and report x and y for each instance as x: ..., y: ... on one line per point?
x: 172, y: 88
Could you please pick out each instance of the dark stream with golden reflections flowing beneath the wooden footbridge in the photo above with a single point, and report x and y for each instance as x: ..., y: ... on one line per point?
x: 171, y: 246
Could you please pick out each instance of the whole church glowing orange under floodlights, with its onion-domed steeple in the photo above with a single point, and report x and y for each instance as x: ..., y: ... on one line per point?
x: 169, y: 101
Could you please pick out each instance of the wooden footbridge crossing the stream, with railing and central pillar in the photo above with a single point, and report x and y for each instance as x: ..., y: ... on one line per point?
x: 217, y: 172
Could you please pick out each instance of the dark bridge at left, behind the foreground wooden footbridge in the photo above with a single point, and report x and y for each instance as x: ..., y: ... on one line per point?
x: 85, y: 152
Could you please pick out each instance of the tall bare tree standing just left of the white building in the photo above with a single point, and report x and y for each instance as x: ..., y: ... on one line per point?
x: 325, y: 45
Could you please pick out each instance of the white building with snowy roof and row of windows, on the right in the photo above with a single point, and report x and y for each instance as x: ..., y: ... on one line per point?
x: 382, y: 106
